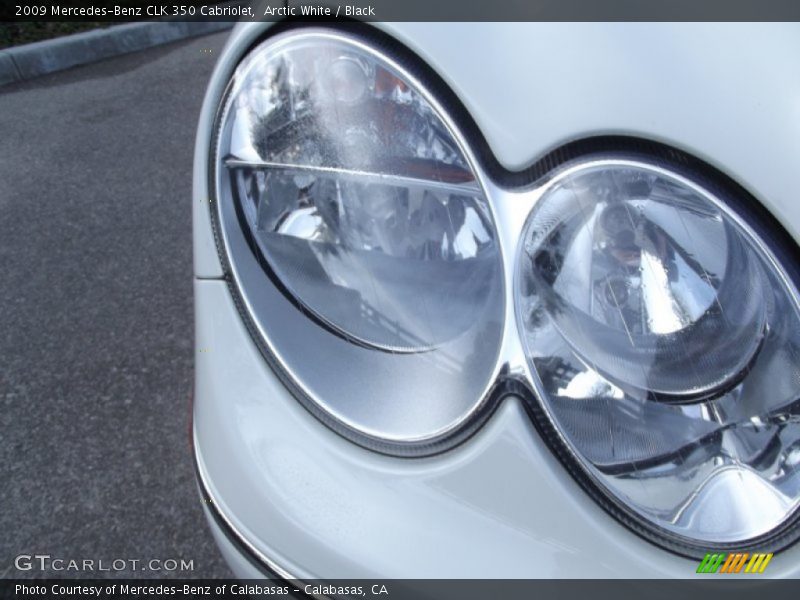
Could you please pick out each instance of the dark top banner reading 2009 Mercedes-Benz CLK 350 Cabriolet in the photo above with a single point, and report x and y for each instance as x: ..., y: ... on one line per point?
x: 12, y: 11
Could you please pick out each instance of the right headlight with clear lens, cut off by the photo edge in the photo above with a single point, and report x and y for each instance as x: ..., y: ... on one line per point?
x: 664, y: 340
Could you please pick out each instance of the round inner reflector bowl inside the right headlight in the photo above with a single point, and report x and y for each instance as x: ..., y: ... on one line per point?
x: 648, y: 289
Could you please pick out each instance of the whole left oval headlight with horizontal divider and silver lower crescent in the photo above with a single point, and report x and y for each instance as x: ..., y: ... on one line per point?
x: 338, y: 174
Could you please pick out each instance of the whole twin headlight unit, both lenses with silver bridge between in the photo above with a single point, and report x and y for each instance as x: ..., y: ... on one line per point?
x: 657, y: 336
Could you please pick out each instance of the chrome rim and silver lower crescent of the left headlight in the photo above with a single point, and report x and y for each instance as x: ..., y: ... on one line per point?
x: 275, y: 321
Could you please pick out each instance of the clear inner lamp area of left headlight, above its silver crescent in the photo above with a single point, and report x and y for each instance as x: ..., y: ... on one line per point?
x: 360, y: 200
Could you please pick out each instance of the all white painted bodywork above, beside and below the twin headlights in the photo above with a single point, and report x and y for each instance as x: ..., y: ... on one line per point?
x: 499, y: 505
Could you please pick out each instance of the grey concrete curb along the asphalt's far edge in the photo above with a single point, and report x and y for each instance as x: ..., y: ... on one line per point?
x: 32, y: 60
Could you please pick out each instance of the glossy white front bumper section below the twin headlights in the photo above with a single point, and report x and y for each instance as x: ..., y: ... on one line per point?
x: 499, y: 505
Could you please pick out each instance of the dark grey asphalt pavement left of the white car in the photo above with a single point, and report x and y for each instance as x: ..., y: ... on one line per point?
x: 96, y: 326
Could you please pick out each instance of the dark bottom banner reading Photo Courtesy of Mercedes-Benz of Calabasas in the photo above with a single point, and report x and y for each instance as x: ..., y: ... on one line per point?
x: 731, y: 587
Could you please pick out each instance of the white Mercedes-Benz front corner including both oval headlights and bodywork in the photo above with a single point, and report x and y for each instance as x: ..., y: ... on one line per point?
x: 487, y: 300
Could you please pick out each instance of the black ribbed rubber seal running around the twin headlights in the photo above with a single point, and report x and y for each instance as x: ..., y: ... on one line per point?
x: 781, y: 244
